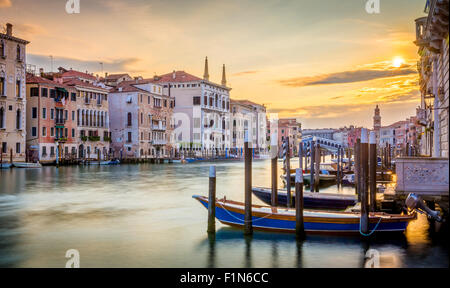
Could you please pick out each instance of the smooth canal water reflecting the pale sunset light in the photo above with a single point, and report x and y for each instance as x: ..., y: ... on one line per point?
x: 144, y: 216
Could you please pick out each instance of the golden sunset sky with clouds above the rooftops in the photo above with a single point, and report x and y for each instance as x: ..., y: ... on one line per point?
x: 327, y: 63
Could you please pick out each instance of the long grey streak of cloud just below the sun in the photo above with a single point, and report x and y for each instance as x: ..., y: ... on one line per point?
x: 363, y: 73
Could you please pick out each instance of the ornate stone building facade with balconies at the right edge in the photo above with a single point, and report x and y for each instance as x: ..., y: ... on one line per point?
x: 432, y: 38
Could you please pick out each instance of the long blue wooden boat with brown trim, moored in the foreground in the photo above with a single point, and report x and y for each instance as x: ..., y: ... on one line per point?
x: 283, y: 220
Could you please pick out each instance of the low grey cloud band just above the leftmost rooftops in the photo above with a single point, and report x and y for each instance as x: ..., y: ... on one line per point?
x: 115, y: 65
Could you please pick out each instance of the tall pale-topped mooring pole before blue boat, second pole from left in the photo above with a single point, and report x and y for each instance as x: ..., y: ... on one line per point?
x: 248, y: 226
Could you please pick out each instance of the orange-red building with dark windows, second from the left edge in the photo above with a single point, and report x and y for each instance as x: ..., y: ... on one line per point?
x: 51, y: 120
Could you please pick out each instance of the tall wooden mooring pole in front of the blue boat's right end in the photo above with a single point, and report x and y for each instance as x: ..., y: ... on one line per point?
x: 364, y: 222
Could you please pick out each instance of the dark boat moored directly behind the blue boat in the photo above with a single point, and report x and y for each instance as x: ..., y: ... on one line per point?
x: 311, y: 200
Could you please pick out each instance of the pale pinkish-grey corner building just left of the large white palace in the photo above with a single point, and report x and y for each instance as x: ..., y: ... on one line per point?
x: 141, y: 120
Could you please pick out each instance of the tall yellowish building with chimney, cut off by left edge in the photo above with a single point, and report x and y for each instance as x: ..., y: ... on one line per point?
x: 12, y: 96
